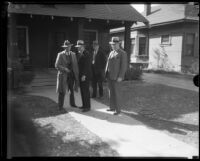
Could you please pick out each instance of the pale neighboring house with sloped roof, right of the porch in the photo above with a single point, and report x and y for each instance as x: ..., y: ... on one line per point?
x: 170, y: 41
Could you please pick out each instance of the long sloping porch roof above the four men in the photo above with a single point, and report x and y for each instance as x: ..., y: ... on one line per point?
x: 121, y: 12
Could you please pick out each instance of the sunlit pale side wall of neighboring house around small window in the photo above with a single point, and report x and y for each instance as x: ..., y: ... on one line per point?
x: 166, y: 57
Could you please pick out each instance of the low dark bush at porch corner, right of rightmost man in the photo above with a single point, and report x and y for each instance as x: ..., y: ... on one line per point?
x: 134, y: 72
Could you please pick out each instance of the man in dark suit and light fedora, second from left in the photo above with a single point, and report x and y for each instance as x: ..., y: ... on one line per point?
x: 84, y: 63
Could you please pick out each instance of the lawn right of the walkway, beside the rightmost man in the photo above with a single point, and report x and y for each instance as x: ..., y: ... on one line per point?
x: 172, y: 110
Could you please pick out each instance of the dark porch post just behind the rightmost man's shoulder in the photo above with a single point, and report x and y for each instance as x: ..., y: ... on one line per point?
x: 127, y: 40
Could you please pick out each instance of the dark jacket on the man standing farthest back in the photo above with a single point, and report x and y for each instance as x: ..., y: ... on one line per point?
x: 100, y: 62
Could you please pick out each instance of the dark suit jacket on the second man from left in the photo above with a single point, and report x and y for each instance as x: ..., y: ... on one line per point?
x: 84, y: 63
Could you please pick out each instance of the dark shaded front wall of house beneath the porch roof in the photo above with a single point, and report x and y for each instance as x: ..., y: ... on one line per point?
x: 42, y: 30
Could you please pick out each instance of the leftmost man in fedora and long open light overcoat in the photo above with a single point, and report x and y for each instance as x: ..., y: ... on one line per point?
x: 67, y: 77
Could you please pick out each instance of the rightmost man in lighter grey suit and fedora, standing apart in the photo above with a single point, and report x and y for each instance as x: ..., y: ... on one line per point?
x: 115, y: 70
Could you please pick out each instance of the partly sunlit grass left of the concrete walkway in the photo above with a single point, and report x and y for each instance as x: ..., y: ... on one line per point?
x: 59, y: 134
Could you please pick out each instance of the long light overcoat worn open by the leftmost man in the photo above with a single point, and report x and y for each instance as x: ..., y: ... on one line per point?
x: 61, y: 63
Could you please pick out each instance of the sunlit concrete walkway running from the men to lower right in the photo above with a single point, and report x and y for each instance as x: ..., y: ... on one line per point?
x: 126, y: 135
